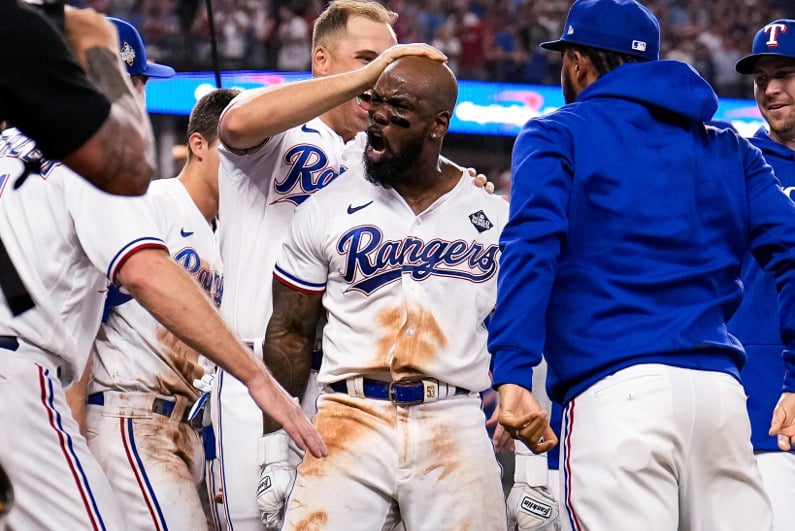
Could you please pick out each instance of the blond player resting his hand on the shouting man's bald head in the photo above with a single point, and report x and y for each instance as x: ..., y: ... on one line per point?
x: 279, y: 146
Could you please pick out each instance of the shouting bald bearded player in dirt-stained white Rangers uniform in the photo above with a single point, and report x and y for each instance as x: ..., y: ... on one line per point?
x: 402, y: 256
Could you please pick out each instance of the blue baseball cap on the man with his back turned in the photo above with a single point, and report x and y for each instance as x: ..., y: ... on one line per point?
x: 622, y: 26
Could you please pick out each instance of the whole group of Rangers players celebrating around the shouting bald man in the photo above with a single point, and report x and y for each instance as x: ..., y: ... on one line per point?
x: 296, y: 332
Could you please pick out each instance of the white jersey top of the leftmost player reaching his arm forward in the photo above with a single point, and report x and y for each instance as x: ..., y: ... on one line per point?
x: 67, y: 240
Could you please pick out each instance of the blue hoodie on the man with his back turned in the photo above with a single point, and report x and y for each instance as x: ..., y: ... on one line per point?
x: 629, y: 223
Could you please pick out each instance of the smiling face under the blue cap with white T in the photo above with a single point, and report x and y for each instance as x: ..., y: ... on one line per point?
x: 774, y: 89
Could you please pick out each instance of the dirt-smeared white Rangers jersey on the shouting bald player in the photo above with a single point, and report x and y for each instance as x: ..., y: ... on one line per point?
x: 405, y: 293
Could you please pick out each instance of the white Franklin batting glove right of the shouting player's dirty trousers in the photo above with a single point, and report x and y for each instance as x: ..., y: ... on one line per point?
x: 530, y: 504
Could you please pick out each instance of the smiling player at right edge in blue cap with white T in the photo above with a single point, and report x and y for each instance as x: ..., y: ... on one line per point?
x: 772, y: 65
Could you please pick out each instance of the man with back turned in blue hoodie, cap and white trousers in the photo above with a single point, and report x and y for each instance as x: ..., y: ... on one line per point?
x: 630, y: 220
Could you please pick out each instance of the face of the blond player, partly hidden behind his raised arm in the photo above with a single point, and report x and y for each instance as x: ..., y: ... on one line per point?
x: 365, y: 40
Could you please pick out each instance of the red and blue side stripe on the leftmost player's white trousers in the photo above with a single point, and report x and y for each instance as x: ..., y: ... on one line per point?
x: 65, y: 442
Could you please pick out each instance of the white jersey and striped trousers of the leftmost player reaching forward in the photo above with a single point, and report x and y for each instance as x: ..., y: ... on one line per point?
x: 67, y: 239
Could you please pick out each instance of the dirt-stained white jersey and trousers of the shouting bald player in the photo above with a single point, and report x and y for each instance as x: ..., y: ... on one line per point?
x: 406, y: 295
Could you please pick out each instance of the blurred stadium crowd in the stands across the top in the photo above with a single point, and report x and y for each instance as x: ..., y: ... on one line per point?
x: 493, y: 40
